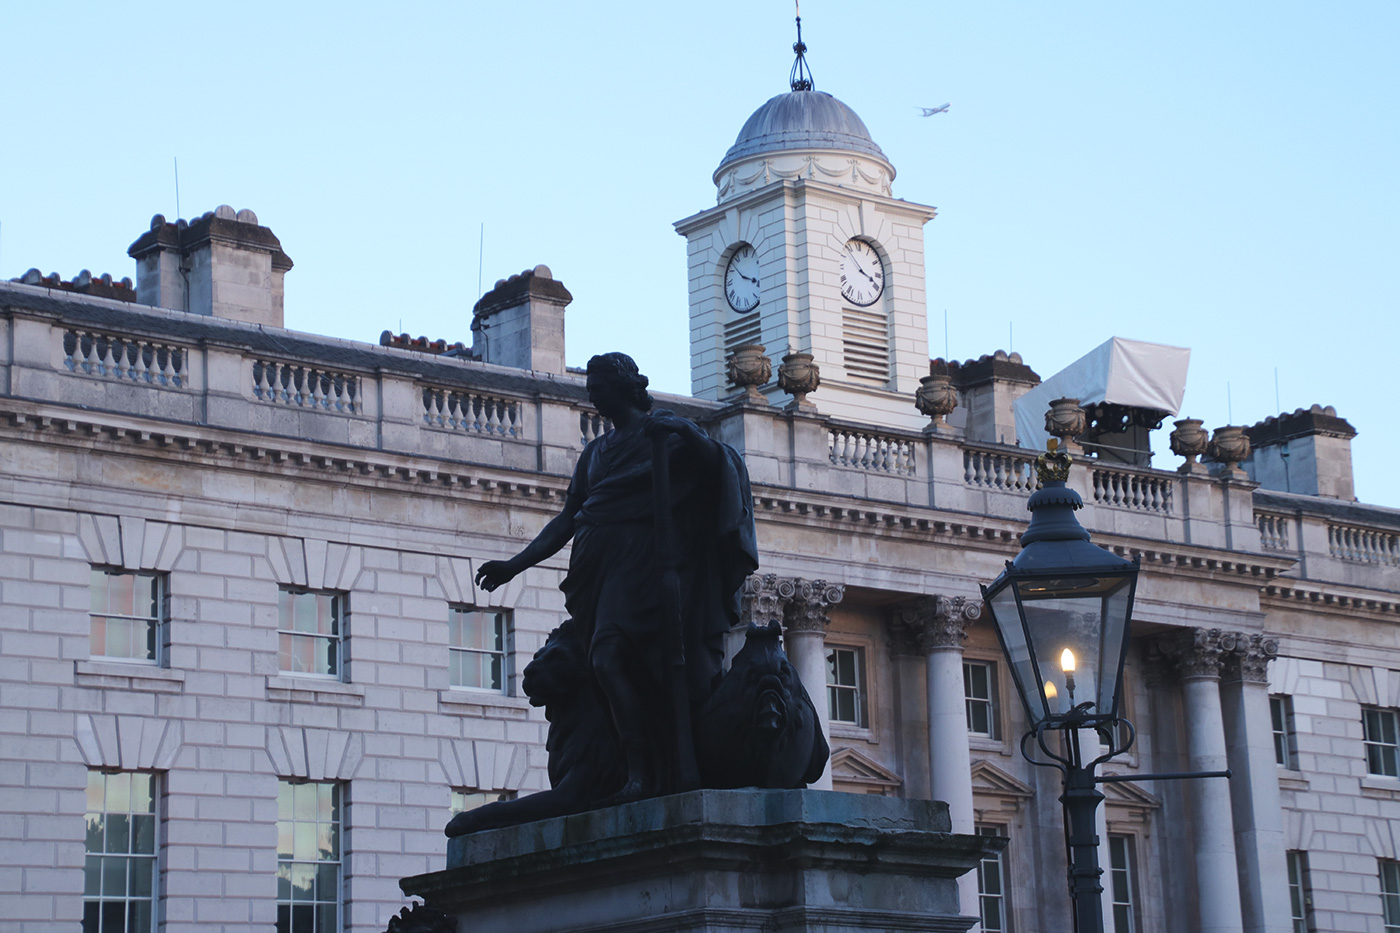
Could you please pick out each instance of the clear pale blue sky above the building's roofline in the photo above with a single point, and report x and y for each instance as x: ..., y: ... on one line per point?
x: 1214, y: 176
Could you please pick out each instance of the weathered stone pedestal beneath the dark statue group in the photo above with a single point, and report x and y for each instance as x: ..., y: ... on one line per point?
x: 715, y: 862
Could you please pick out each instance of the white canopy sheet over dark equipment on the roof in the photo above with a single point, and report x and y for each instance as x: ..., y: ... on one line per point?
x: 1121, y: 372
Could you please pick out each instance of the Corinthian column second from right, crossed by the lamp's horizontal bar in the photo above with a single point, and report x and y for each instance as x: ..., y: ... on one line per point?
x: 1199, y: 655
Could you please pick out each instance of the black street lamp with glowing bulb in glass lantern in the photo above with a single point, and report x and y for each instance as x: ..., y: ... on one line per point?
x: 1062, y: 611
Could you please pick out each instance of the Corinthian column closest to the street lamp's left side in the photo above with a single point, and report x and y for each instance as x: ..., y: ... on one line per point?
x: 939, y: 627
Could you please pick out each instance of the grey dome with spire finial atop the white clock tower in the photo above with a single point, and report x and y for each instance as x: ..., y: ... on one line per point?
x: 804, y: 134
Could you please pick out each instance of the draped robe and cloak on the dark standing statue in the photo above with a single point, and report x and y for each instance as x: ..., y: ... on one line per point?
x: 612, y: 588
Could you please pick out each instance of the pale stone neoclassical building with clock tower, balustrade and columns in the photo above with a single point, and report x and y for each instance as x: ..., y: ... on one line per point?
x: 247, y: 676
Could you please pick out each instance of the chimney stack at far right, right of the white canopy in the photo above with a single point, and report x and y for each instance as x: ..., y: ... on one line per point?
x: 1307, y: 453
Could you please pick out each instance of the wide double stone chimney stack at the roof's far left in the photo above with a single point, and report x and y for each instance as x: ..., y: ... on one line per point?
x: 222, y: 265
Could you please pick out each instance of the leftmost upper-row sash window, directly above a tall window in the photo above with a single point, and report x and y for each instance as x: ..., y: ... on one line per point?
x: 128, y: 618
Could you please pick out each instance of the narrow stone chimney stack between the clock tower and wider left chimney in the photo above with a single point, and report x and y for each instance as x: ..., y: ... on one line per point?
x: 521, y: 323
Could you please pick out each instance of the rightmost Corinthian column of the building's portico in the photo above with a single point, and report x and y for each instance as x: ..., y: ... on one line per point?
x: 1259, y: 827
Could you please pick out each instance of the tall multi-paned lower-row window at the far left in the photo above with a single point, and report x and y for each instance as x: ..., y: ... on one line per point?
x: 120, y: 866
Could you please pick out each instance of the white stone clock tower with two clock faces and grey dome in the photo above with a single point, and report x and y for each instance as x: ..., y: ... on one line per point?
x: 807, y: 250
